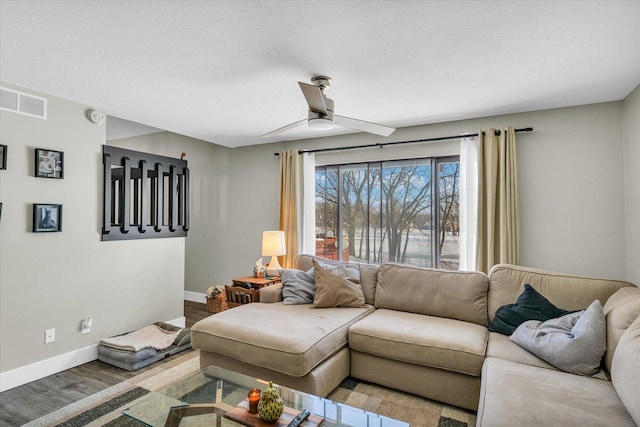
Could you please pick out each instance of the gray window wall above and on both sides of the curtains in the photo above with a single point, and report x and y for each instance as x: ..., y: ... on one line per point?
x: 571, y: 186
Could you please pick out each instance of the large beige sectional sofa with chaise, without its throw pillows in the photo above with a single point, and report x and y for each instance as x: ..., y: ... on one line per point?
x: 425, y: 332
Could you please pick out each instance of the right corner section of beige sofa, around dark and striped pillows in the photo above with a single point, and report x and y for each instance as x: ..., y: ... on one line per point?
x: 518, y: 388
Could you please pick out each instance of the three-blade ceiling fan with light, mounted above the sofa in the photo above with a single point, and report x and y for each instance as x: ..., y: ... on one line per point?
x: 321, y: 110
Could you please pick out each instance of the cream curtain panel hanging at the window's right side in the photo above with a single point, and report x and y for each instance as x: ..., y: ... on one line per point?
x: 498, y: 220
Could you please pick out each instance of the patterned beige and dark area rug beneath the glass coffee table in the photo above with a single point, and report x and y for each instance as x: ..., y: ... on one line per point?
x: 105, y: 408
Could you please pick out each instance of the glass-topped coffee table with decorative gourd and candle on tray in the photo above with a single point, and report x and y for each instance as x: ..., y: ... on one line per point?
x: 206, y: 397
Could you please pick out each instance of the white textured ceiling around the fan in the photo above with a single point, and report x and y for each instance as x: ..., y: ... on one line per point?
x: 227, y: 71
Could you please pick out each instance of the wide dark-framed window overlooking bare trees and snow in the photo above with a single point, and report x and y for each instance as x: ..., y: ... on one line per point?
x: 404, y: 211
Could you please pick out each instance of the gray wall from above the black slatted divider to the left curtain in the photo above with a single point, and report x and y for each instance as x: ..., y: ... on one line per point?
x: 234, y: 197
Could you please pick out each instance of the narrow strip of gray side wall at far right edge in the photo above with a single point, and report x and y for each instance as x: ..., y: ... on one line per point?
x: 631, y: 147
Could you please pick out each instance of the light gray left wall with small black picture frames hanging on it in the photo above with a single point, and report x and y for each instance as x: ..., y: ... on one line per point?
x: 54, y: 280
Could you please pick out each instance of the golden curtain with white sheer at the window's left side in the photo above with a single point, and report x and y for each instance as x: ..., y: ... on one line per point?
x: 297, y: 216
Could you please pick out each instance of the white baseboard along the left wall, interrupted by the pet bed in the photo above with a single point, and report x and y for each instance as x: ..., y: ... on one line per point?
x: 44, y: 368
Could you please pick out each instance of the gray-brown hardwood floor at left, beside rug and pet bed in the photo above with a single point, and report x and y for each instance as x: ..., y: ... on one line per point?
x: 33, y: 400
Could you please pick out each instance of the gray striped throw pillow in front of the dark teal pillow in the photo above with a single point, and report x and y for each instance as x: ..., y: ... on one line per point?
x: 573, y: 343
